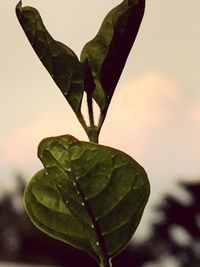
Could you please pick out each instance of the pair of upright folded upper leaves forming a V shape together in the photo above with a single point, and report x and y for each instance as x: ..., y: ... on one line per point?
x: 102, y: 59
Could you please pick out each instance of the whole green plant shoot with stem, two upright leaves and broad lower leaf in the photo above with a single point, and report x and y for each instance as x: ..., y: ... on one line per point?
x: 88, y: 195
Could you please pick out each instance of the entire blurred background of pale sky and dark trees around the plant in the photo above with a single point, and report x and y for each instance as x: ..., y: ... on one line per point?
x: 154, y: 116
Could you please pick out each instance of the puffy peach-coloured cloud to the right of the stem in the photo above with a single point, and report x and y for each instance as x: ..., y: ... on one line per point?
x: 139, y: 107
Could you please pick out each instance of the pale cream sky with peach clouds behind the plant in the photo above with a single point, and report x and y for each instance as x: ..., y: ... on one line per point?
x: 155, y: 112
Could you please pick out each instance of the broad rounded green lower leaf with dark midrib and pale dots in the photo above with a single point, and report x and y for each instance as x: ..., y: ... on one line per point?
x: 90, y: 196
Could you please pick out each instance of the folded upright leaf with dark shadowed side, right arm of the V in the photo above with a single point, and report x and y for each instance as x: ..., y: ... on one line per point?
x: 108, y: 51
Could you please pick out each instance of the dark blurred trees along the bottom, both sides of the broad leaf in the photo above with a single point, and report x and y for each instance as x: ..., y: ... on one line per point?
x: 176, y: 235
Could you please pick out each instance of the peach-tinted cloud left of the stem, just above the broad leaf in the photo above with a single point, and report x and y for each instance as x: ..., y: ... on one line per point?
x: 20, y: 146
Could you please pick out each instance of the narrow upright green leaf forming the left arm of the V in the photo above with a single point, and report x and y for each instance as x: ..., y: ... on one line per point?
x: 59, y: 60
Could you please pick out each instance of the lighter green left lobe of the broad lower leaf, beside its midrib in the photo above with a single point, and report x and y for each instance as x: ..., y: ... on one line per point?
x: 49, y: 213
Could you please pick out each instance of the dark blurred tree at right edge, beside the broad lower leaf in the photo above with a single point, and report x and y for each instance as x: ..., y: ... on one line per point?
x: 178, y: 233
